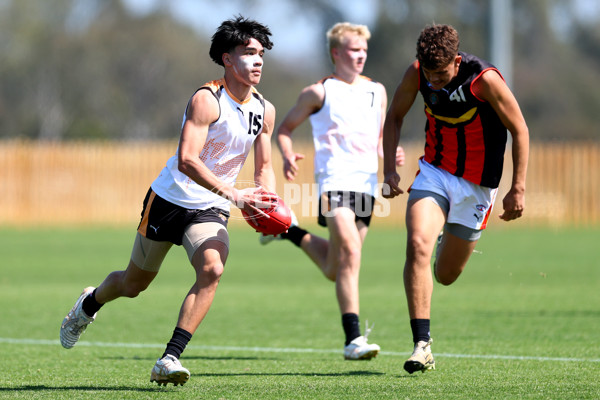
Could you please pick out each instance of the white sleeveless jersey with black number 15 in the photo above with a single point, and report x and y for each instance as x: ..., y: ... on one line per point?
x: 227, y: 145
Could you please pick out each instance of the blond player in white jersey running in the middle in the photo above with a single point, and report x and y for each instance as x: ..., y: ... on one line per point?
x: 346, y: 111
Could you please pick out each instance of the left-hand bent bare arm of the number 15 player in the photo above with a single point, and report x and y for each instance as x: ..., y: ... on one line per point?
x: 203, y: 110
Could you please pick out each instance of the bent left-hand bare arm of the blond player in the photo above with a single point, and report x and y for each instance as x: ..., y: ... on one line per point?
x: 310, y: 100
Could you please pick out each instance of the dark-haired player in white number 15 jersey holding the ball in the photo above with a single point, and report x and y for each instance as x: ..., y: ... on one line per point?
x: 188, y: 204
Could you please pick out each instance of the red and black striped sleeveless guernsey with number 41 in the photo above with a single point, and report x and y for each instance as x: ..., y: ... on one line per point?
x: 464, y: 135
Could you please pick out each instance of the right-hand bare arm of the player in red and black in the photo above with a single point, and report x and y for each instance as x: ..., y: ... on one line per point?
x: 492, y: 88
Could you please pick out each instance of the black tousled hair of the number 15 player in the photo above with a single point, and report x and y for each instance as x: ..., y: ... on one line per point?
x: 237, y: 31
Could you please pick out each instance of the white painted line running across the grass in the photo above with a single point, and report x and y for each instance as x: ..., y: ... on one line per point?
x: 291, y: 350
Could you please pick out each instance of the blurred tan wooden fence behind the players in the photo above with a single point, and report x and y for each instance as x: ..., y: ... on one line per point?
x: 66, y: 184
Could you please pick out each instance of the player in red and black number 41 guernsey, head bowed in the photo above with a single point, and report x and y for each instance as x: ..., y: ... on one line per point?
x: 469, y: 108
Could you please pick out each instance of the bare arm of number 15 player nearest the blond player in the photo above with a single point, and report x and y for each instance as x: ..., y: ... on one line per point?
x: 263, y: 166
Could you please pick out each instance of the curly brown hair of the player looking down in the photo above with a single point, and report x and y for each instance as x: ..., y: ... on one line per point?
x: 437, y: 46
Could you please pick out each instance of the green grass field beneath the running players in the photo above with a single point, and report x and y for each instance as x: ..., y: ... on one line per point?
x: 523, y: 322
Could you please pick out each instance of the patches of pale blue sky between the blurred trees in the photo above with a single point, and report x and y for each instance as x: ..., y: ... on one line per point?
x: 297, y: 35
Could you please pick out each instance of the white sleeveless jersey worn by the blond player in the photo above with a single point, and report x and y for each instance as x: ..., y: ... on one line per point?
x: 346, y: 133
